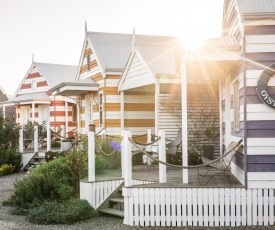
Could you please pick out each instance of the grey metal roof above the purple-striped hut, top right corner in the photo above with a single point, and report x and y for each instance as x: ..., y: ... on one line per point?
x: 256, y: 6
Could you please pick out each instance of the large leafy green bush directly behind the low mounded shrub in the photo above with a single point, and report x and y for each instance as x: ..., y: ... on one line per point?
x: 50, y: 181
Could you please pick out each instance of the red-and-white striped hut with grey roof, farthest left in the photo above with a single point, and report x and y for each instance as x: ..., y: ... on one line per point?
x: 33, y: 100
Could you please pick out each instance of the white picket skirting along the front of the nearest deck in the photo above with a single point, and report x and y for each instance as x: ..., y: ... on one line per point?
x: 198, y: 206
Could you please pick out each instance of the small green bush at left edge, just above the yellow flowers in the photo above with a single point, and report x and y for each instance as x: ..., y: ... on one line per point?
x: 11, y: 157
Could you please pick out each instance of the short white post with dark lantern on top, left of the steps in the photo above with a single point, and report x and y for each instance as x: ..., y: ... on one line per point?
x: 91, y: 156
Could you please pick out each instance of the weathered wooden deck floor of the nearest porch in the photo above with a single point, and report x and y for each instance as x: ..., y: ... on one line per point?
x: 174, y: 177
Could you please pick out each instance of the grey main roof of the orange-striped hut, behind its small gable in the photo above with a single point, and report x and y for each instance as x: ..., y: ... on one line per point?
x: 113, y: 50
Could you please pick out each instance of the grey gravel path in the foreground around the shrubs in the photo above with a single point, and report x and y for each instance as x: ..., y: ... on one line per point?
x: 8, y: 221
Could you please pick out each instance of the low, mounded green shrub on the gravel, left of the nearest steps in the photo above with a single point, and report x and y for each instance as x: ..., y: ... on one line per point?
x: 67, y: 212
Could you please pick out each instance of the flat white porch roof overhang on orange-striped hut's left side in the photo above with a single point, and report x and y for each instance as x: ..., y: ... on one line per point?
x: 74, y: 88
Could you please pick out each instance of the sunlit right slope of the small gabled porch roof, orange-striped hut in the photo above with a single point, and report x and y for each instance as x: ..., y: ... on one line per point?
x: 160, y: 59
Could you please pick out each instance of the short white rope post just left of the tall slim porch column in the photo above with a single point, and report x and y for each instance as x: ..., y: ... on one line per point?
x: 162, y: 157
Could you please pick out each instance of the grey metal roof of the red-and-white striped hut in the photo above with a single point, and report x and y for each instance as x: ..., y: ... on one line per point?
x: 55, y: 73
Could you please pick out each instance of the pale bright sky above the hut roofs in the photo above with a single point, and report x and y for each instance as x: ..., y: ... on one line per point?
x: 53, y: 30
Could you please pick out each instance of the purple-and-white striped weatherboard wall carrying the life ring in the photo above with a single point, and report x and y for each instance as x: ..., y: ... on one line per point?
x: 260, y: 124
